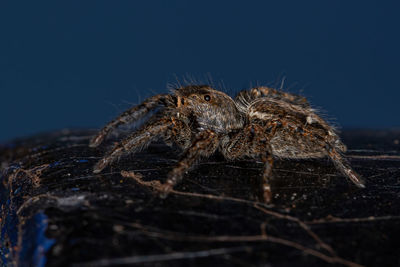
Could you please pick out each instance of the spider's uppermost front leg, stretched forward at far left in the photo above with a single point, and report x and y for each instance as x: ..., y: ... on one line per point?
x: 128, y: 116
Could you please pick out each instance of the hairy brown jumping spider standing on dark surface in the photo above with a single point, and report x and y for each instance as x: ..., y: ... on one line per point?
x: 261, y: 123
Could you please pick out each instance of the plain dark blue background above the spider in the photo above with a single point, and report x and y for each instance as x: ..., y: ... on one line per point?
x: 80, y: 63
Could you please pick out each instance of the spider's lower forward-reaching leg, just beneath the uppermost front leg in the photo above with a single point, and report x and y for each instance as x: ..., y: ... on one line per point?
x: 136, y: 141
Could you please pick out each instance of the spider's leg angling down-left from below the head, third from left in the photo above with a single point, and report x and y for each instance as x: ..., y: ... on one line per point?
x: 205, y: 144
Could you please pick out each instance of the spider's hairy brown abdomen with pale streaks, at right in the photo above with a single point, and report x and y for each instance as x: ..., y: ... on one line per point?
x: 296, y: 131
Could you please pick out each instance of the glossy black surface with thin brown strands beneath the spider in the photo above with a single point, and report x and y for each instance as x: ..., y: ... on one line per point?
x: 56, y: 212
